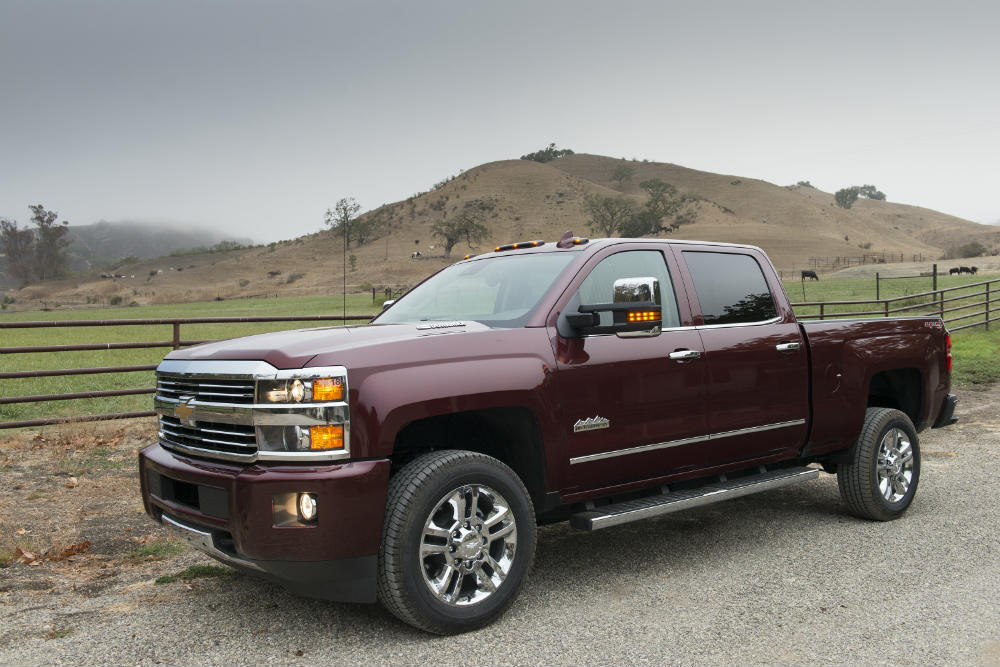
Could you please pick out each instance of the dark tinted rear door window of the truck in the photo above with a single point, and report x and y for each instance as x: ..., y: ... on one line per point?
x: 731, y: 288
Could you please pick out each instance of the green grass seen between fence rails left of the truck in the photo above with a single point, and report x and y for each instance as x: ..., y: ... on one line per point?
x: 314, y: 305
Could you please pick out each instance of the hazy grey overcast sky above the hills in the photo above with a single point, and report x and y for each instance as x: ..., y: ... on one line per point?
x: 253, y: 118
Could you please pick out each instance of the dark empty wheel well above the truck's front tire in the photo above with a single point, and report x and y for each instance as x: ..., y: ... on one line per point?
x: 511, y: 435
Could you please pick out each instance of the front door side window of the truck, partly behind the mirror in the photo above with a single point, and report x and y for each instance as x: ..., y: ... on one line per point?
x: 598, y: 287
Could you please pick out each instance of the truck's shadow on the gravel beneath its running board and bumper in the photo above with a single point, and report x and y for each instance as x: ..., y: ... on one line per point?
x: 703, y: 542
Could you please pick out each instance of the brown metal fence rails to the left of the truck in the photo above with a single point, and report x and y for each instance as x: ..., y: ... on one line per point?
x: 176, y: 343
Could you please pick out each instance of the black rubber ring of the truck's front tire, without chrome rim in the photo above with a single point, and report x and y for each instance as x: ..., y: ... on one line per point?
x: 451, y: 618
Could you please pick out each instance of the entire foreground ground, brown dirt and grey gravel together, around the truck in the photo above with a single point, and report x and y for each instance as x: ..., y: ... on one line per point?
x: 81, y: 564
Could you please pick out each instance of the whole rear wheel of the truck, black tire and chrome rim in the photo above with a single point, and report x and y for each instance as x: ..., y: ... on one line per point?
x: 881, y: 480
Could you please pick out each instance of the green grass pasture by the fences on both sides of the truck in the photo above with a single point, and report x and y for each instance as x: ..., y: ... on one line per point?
x: 976, y: 352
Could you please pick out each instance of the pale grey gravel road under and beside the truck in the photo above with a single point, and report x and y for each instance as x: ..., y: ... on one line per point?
x: 784, y: 577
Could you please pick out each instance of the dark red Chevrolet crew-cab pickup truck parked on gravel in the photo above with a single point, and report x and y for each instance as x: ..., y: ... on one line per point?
x: 597, y: 382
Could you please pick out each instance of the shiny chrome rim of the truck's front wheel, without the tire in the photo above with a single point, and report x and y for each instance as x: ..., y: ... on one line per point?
x: 467, y: 545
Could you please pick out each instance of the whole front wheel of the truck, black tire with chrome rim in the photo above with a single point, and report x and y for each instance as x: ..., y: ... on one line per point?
x: 434, y: 591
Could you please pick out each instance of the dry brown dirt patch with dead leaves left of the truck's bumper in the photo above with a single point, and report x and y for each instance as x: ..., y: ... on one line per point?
x: 71, y: 518
